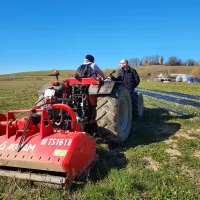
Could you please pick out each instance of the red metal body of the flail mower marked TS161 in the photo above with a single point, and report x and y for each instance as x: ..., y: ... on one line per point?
x: 45, y: 148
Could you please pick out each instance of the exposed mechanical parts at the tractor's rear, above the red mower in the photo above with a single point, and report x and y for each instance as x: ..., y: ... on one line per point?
x: 75, y: 96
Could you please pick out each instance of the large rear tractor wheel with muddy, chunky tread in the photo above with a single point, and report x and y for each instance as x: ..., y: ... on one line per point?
x: 114, y: 115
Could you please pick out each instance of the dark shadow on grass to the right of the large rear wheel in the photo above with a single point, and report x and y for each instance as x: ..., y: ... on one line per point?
x: 153, y: 127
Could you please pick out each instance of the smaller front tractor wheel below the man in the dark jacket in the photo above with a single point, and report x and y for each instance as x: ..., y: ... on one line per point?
x: 138, y: 105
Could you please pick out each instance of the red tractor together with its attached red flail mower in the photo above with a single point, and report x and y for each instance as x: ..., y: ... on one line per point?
x: 55, y: 137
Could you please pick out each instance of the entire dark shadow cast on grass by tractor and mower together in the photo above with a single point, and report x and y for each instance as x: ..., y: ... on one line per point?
x: 153, y: 127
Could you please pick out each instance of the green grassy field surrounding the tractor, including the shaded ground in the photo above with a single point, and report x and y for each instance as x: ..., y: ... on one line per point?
x: 159, y: 161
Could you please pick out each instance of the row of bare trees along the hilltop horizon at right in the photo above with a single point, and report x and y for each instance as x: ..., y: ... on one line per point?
x: 159, y: 60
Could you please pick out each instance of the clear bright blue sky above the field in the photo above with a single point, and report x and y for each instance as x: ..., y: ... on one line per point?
x: 44, y: 35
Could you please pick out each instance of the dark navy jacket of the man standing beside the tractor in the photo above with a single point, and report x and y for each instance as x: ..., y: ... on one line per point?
x: 130, y: 78
